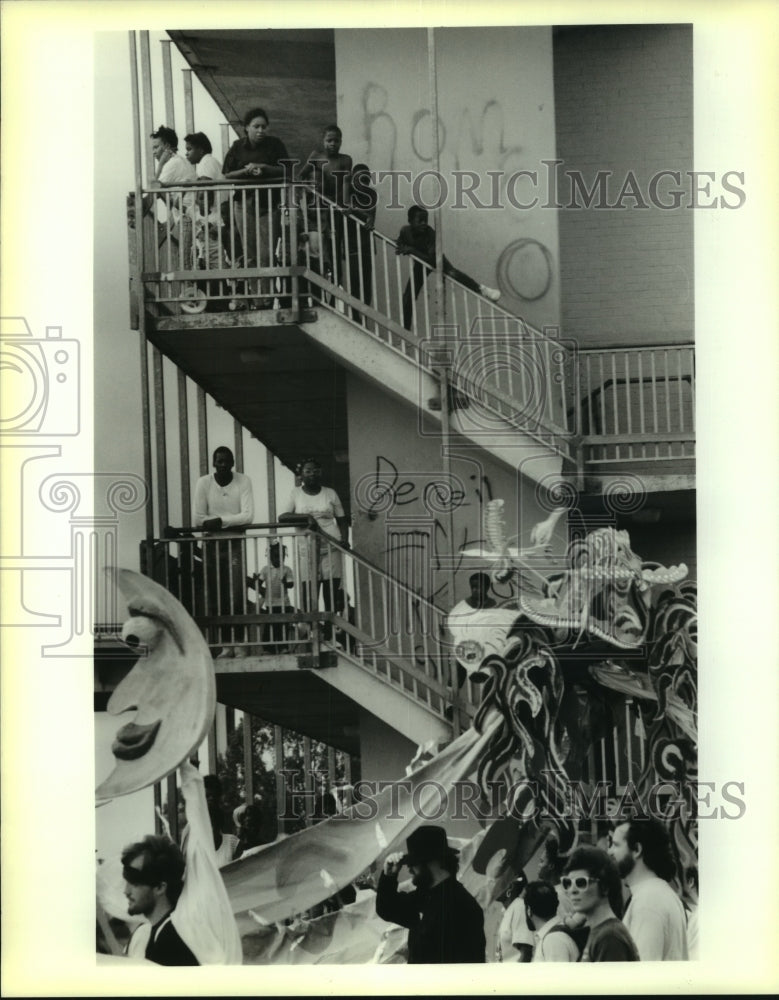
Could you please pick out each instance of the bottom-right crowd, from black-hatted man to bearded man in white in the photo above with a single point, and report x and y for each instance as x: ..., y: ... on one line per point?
x: 606, y: 905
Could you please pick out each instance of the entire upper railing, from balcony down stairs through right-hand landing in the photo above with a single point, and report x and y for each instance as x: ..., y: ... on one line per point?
x: 285, y: 248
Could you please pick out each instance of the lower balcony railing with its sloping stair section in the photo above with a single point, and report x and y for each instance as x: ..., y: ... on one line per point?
x: 336, y: 601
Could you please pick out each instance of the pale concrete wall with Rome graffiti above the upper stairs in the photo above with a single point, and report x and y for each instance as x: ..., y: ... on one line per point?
x: 496, y: 109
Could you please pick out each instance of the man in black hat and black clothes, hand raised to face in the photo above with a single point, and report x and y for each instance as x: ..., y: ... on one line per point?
x: 445, y: 923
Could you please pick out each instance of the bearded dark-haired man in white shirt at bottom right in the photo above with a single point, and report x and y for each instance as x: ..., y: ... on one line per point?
x: 655, y: 915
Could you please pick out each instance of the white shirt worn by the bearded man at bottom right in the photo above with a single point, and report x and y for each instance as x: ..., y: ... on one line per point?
x: 656, y: 921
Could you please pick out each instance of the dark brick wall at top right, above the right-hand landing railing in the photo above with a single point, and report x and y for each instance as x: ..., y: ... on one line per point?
x: 623, y: 102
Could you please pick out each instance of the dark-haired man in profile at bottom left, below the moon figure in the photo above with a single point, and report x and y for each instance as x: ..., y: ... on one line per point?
x: 153, y: 870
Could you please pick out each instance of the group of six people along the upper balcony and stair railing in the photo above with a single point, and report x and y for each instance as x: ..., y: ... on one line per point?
x: 260, y: 161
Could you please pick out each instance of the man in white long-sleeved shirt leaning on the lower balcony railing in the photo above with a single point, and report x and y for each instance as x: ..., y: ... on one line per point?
x: 224, y: 502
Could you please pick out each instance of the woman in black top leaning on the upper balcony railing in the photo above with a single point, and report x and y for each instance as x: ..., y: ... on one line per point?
x: 257, y: 159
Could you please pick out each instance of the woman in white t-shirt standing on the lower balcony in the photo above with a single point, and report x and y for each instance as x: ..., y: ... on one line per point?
x: 318, y: 508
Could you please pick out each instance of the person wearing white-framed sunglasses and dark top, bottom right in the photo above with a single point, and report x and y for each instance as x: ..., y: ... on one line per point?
x: 594, y: 889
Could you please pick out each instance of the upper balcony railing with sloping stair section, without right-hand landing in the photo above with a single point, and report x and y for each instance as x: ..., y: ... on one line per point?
x: 282, y: 247
